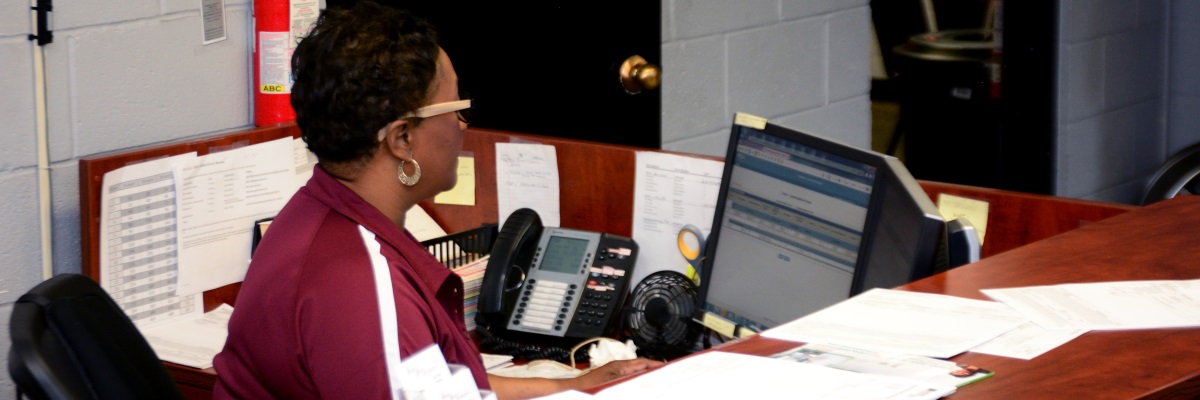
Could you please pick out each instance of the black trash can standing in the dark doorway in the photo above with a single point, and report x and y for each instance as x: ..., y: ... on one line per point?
x: 950, y: 108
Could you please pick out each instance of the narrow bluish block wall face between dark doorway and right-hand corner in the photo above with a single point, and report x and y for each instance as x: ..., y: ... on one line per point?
x: 1112, y: 97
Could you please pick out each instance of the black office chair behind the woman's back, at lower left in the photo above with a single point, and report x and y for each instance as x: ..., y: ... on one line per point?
x: 70, y: 341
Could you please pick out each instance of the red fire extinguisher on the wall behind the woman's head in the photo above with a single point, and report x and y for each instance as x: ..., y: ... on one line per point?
x: 278, y: 25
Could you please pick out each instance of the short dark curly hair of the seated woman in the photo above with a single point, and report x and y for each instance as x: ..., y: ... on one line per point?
x: 357, y: 71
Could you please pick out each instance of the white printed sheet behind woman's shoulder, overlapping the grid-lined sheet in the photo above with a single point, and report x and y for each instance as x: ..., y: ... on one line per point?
x: 220, y: 198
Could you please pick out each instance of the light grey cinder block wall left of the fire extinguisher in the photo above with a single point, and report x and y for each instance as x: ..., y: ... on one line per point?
x: 118, y: 76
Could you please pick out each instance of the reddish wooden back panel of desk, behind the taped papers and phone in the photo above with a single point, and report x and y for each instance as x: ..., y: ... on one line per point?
x: 597, y: 194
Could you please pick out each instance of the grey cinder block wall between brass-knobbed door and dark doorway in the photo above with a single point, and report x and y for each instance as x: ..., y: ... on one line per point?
x: 803, y: 64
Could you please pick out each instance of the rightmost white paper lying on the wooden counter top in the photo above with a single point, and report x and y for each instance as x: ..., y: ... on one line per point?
x: 1107, y: 306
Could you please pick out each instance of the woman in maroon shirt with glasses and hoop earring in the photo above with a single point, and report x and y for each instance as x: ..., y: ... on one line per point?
x: 339, y: 295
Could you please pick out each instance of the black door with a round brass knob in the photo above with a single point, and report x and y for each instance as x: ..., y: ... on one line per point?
x: 554, y: 68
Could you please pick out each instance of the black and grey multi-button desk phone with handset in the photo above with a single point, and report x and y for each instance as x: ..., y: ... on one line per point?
x: 556, y: 283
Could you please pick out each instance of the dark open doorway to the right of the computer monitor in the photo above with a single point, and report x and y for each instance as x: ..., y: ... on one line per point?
x: 958, y: 123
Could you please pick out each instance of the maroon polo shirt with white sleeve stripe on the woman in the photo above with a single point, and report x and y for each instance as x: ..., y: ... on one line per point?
x: 308, y: 325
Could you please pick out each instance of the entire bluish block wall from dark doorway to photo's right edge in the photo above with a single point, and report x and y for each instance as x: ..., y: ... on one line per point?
x: 1129, y: 93
